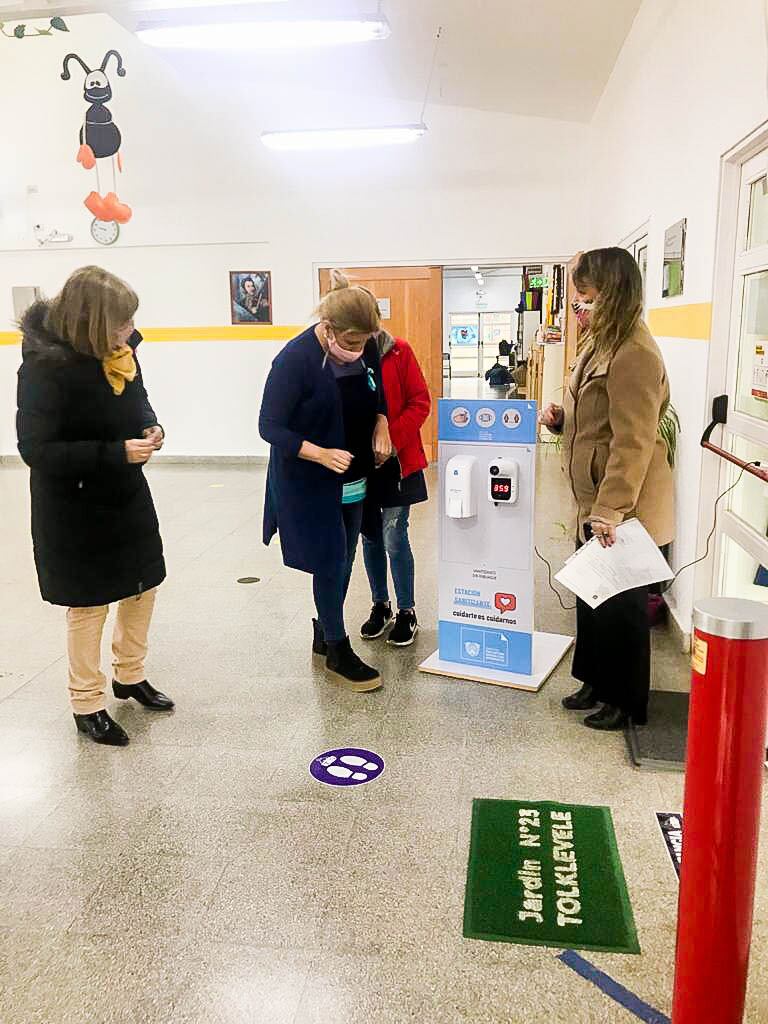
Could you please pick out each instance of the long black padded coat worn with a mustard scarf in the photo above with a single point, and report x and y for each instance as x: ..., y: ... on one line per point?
x: 95, y: 528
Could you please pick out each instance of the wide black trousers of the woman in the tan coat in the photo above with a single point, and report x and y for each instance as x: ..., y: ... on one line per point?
x: 613, y: 651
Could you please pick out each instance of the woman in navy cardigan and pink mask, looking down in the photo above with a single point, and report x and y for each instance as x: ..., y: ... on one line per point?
x: 324, y: 414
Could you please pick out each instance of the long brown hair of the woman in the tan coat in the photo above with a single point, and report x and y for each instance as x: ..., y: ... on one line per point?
x: 619, y: 308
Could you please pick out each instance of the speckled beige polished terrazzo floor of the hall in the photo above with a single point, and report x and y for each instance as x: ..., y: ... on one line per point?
x: 202, y: 877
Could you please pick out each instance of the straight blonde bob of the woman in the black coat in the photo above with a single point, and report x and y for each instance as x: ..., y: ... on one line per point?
x: 91, y: 310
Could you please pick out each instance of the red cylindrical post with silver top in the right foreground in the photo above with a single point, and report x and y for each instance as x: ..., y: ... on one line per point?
x: 721, y: 816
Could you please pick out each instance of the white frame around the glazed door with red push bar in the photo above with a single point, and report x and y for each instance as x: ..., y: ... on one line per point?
x: 721, y: 359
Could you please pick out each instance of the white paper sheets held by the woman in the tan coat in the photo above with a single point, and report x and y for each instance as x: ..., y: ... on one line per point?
x: 595, y: 574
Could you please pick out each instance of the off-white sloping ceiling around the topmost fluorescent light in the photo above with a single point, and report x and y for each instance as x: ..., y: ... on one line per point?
x: 551, y: 59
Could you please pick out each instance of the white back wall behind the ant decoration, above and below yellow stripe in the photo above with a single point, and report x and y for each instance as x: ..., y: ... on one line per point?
x: 480, y: 186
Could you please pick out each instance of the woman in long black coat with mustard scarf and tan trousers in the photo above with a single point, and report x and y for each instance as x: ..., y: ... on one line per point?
x: 87, y: 430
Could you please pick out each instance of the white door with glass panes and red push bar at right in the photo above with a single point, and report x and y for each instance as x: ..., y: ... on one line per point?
x: 743, y: 528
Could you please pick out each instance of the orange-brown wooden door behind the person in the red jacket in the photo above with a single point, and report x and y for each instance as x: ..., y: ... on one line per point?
x: 413, y: 297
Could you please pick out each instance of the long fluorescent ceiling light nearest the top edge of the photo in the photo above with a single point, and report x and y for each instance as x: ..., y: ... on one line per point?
x: 288, y: 34
